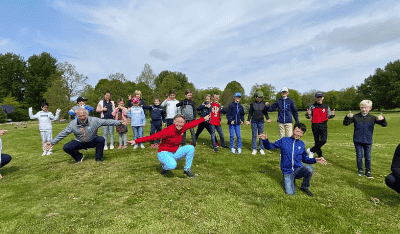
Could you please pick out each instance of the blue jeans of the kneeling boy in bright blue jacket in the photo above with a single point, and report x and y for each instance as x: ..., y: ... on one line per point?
x: 289, y: 183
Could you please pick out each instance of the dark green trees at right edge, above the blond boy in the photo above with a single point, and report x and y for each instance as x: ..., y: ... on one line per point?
x: 383, y: 88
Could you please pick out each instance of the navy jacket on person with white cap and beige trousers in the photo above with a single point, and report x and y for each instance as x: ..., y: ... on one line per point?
x: 286, y: 109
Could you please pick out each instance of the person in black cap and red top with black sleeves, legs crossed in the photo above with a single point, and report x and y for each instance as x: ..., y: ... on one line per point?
x: 319, y: 113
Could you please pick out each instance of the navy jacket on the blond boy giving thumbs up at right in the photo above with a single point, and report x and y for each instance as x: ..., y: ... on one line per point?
x: 363, y: 127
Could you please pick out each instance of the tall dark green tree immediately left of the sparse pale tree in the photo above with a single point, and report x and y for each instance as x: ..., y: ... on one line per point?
x: 40, y: 69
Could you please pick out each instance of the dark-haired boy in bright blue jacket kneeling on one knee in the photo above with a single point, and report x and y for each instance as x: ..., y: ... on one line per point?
x: 293, y: 152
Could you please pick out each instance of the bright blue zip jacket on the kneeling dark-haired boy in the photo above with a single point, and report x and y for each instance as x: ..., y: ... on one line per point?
x: 293, y: 152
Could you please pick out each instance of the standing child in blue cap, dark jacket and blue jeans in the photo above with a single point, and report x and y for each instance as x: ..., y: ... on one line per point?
x: 235, y: 116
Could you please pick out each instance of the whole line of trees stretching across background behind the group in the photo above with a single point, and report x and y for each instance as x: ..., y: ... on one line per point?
x: 41, y: 77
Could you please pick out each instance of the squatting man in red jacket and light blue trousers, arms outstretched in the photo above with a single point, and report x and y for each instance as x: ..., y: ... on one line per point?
x: 169, y: 151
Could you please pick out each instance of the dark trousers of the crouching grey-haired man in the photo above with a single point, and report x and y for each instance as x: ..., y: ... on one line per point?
x: 72, y: 148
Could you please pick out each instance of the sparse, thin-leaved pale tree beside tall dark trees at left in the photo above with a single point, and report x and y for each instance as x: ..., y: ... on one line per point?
x: 73, y: 81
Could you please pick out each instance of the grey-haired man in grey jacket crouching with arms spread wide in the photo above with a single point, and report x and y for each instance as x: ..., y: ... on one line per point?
x: 85, y: 131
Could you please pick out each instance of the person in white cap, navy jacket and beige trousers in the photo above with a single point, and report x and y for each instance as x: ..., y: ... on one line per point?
x: 286, y: 108
